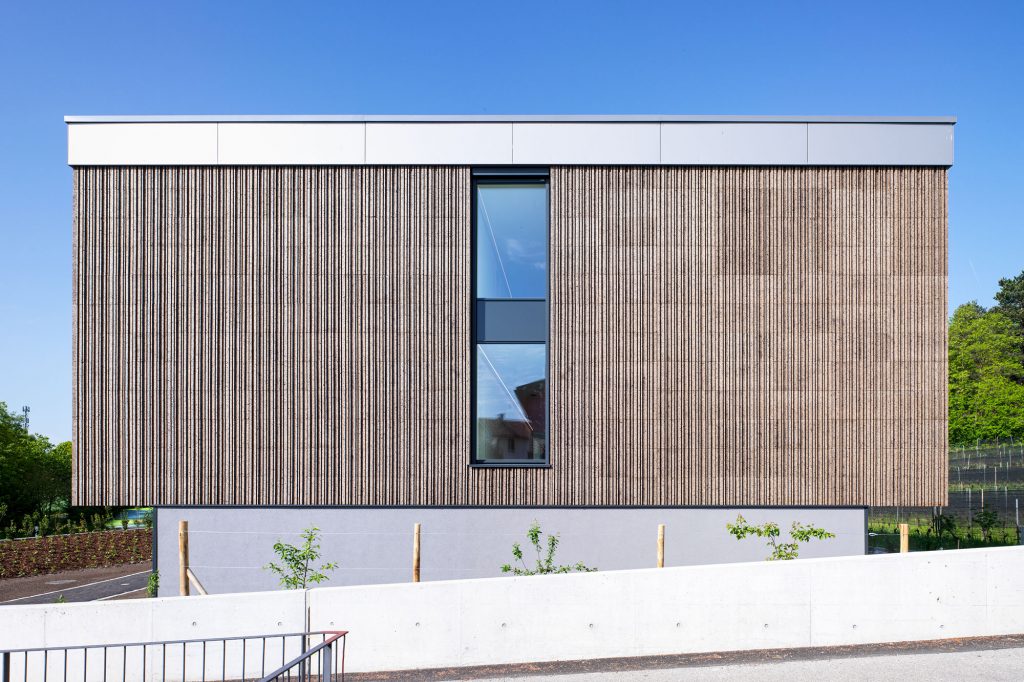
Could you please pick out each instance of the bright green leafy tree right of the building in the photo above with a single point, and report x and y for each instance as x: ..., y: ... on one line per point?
x: 987, y: 376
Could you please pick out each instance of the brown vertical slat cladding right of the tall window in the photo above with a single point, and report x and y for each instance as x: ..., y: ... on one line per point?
x: 790, y: 323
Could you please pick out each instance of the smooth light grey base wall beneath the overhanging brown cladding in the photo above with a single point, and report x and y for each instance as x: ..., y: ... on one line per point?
x: 229, y: 547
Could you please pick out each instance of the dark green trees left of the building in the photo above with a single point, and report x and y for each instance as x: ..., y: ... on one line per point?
x: 35, y: 476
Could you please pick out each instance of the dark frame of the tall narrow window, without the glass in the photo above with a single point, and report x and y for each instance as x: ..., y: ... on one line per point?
x: 508, y: 177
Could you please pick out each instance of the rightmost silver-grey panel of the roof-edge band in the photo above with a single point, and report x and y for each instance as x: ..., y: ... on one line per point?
x: 879, y: 145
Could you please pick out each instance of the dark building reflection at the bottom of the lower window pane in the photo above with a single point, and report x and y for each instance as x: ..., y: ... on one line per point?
x: 502, y: 439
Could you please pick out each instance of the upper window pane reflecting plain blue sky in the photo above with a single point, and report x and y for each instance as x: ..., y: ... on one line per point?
x: 511, y: 241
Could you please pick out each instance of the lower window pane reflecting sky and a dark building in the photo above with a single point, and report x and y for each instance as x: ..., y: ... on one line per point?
x: 510, y: 403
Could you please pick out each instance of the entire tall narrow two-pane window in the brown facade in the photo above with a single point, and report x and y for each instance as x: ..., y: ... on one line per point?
x: 510, y: 321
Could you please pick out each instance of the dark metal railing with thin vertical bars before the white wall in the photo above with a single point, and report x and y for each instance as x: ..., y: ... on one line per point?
x: 224, y: 659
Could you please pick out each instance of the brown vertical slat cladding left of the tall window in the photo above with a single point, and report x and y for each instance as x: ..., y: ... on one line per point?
x: 271, y: 335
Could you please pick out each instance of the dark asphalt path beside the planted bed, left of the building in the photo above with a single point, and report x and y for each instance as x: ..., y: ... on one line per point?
x: 90, y: 585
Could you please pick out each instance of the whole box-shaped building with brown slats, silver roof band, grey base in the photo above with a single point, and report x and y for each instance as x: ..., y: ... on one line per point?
x: 600, y: 323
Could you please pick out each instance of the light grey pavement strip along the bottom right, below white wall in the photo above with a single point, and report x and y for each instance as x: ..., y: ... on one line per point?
x: 997, y: 665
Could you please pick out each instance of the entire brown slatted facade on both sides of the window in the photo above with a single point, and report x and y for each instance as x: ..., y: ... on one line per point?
x: 719, y: 336
